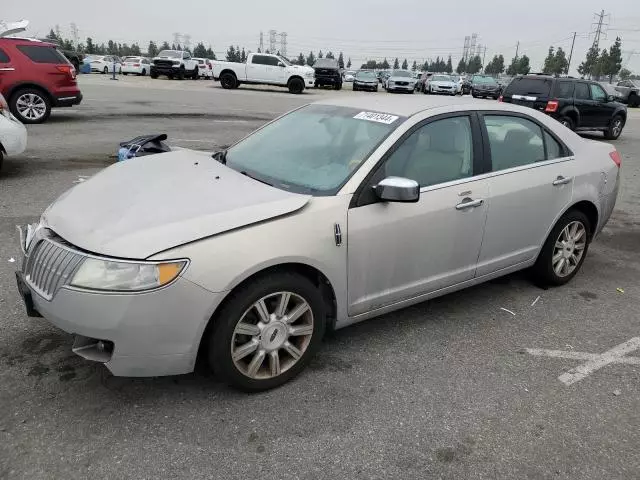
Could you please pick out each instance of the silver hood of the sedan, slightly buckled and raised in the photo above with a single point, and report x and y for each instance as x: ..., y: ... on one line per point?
x: 145, y: 205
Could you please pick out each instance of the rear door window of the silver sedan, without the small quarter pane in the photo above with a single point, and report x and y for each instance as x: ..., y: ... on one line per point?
x: 514, y: 141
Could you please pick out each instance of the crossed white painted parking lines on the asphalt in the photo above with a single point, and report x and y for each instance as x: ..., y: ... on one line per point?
x: 593, y: 361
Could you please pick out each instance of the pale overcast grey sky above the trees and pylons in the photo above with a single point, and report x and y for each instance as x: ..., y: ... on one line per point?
x: 365, y: 29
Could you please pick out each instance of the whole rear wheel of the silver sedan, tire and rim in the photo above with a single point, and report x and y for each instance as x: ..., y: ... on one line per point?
x: 564, y: 251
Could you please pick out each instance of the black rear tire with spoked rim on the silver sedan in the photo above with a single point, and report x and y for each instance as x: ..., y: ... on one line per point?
x: 543, y: 270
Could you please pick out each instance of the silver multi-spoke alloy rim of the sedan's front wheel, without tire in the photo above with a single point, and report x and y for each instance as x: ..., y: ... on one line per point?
x: 272, y: 335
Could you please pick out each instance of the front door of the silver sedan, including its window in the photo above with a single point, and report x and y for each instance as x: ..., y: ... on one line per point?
x: 399, y: 251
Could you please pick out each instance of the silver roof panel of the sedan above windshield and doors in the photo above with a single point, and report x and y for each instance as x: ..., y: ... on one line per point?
x: 408, y: 105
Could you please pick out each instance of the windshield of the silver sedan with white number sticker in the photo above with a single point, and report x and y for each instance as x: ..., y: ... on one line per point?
x: 330, y: 144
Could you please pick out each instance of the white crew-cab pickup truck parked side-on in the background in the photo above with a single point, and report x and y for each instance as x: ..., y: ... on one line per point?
x: 264, y: 69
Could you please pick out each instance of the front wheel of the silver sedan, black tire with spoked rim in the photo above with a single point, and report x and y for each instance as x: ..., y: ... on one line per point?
x: 269, y: 337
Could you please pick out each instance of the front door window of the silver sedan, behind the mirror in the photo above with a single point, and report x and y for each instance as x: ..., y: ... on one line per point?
x: 438, y: 152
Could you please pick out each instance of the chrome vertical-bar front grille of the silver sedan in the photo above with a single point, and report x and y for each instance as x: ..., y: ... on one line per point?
x: 50, y: 265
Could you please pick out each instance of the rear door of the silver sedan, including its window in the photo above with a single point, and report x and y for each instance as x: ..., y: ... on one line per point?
x: 531, y: 184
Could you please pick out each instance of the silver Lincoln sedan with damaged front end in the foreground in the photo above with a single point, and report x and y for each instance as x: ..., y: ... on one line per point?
x: 250, y: 256
